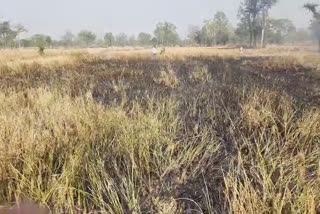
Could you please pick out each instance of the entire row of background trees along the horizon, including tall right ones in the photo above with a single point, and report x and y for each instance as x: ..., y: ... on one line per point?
x: 254, y: 29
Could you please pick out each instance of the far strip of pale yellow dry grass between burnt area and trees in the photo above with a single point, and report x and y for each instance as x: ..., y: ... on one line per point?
x: 303, y: 54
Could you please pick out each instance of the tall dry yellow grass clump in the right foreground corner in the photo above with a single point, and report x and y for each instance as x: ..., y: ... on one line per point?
x: 276, y: 170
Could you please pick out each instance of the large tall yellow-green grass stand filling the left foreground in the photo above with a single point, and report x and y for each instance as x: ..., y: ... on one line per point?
x: 72, y: 154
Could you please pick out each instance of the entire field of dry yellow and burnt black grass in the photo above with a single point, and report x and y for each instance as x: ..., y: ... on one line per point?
x: 196, y: 130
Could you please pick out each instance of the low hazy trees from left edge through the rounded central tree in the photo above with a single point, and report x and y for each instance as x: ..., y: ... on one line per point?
x: 165, y: 34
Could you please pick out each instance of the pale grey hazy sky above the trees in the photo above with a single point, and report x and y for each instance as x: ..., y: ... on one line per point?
x: 54, y: 17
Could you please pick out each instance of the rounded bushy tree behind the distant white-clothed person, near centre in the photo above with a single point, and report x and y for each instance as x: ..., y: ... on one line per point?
x: 166, y: 34
